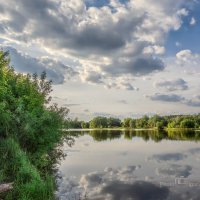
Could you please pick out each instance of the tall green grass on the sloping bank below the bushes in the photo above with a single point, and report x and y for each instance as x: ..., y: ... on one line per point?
x: 28, y: 182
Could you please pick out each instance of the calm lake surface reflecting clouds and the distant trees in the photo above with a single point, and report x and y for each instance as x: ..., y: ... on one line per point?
x: 130, y: 165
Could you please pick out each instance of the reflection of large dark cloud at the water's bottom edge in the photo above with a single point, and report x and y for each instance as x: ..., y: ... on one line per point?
x: 112, y: 184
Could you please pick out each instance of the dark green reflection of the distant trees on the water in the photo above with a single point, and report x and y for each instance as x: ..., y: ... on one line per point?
x: 146, y: 135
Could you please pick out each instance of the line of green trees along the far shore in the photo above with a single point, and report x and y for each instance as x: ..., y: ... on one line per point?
x: 145, y: 122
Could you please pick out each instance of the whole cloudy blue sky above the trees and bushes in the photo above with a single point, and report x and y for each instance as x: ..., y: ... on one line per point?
x: 121, y: 58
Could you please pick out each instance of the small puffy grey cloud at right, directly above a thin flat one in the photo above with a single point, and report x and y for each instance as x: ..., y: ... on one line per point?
x: 172, y: 85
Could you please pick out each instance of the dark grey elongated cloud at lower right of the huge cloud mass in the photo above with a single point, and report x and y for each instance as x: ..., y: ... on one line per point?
x: 135, y: 66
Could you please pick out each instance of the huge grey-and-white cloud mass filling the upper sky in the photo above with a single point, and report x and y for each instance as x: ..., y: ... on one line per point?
x: 124, y: 33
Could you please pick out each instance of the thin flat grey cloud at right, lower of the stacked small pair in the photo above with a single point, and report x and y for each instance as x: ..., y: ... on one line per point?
x: 166, y: 97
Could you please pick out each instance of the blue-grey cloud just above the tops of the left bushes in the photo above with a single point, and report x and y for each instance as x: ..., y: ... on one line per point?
x: 56, y: 71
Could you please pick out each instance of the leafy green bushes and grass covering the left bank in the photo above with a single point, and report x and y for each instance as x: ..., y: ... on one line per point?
x: 30, y: 130
